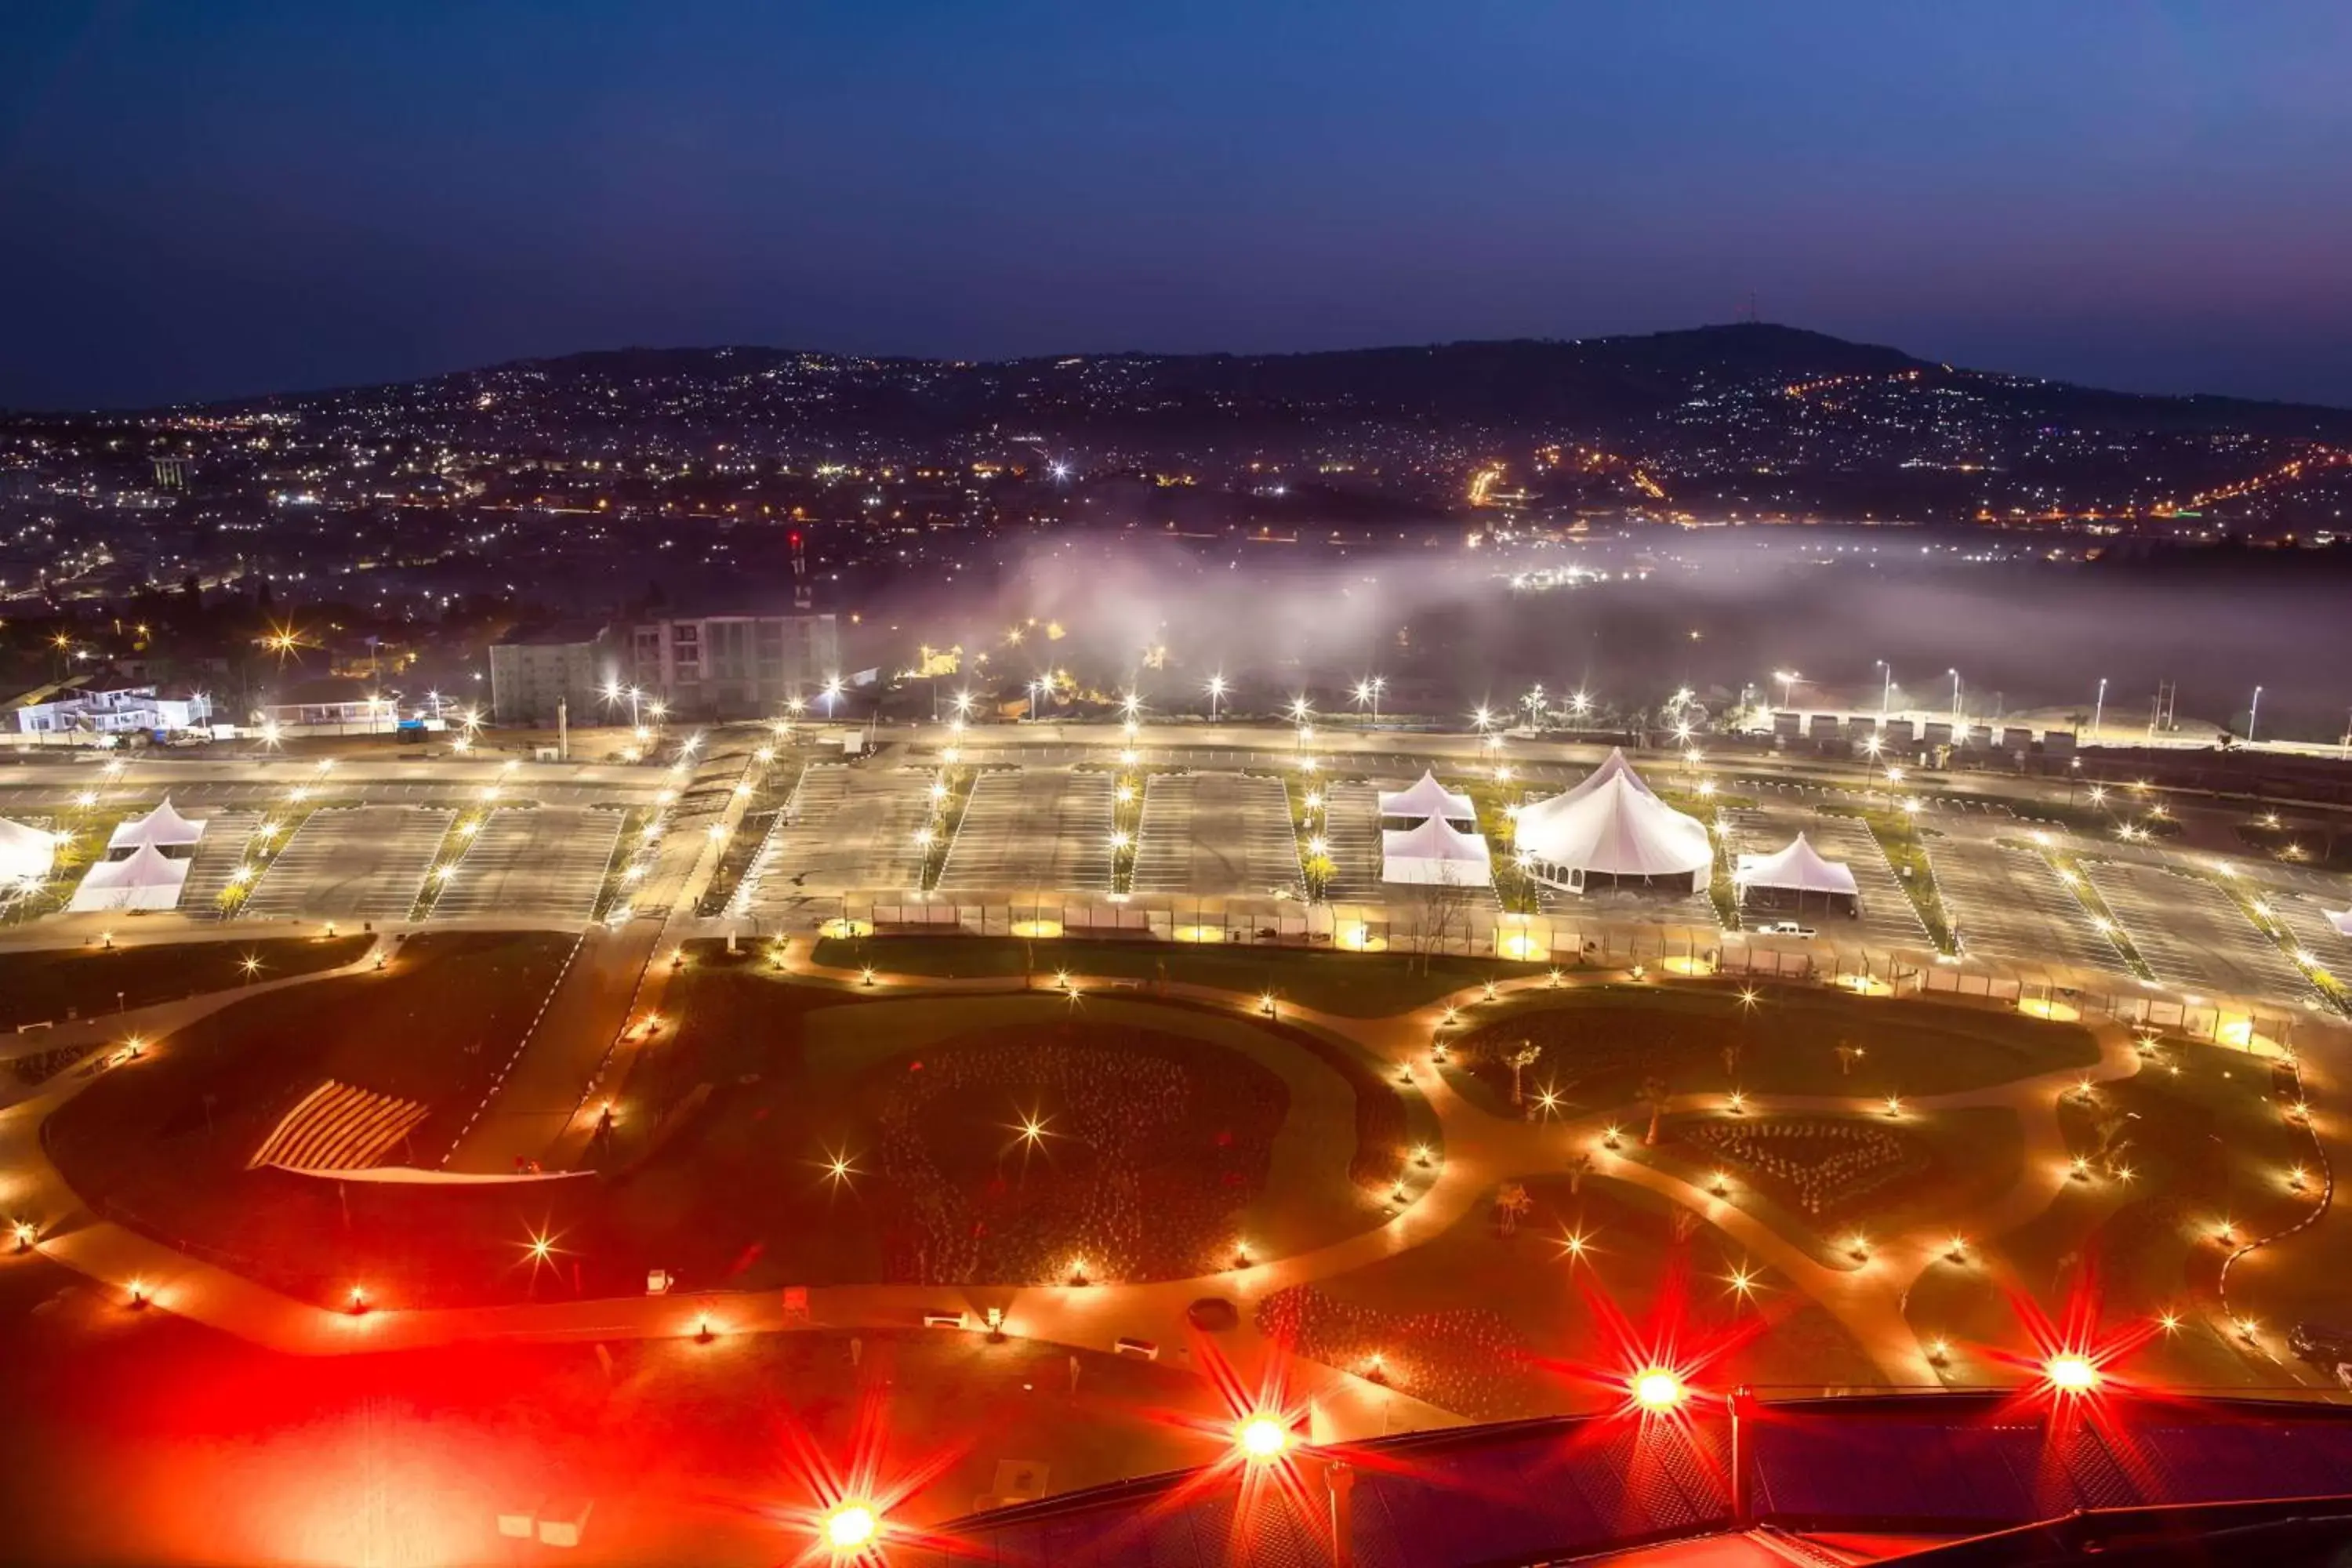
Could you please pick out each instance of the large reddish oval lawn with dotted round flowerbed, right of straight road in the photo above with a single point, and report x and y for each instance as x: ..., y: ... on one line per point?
x: 1241, y: 1132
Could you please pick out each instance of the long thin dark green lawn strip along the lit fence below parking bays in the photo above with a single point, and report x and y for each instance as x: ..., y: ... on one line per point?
x: 1344, y: 984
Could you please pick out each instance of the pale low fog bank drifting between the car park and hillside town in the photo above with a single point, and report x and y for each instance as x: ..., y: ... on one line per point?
x: 1448, y: 626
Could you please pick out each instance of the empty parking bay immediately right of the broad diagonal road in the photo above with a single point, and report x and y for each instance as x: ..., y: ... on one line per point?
x: 846, y: 831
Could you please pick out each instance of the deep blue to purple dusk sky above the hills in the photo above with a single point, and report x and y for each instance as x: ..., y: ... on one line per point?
x: 208, y: 199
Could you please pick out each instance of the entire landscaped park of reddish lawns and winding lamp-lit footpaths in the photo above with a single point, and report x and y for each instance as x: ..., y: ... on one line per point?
x: 1464, y: 1191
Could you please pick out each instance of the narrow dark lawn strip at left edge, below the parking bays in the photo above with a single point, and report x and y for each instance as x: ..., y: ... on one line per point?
x: 55, y: 984
